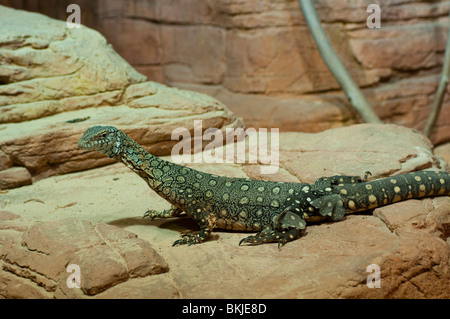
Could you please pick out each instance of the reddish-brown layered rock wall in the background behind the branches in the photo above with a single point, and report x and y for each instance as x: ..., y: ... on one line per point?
x: 258, y: 56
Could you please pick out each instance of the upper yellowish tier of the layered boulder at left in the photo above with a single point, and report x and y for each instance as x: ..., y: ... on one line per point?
x: 47, y: 66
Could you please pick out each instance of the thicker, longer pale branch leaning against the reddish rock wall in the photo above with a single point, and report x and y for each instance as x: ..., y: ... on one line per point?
x: 354, y: 94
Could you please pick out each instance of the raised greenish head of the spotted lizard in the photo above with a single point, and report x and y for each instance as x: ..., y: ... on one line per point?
x: 105, y: 139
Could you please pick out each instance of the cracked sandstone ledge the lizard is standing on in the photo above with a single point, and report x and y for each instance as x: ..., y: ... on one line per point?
x: 94, y: 219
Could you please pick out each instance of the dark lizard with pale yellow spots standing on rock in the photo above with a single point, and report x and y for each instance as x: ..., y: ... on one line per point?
x: 278, y: 210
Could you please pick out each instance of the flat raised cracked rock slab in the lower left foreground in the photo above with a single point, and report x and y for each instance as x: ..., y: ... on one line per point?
x: 106, y: 256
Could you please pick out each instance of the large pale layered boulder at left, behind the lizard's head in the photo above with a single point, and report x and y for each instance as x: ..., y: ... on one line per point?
x: 60, y: 81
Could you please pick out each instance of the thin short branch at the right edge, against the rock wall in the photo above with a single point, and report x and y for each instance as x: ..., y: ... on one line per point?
x: 440, y: 93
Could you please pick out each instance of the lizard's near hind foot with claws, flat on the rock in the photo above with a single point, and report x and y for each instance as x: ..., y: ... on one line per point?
x: 270, y: 236
